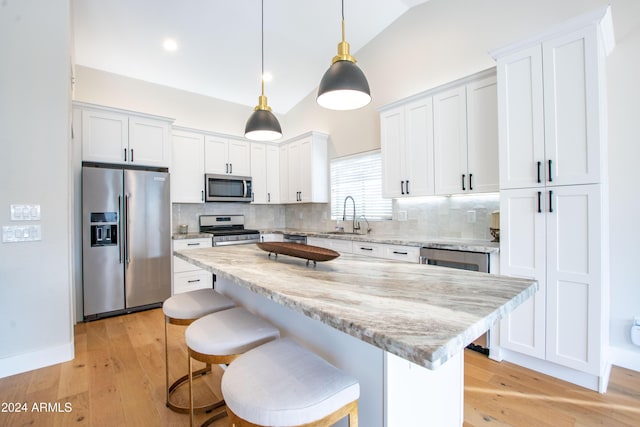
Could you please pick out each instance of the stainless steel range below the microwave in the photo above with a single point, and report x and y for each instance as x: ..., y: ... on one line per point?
x: 228, y: 230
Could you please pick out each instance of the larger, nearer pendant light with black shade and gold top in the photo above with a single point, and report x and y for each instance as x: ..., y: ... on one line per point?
x: 343, y: 86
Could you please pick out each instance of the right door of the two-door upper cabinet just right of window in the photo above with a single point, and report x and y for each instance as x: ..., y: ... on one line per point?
x: 418, y: 152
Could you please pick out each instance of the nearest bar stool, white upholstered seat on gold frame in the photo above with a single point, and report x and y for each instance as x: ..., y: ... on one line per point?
x: 283, y: 384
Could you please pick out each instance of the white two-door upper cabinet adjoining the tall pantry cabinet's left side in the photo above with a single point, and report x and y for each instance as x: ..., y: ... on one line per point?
x: 465, y: 127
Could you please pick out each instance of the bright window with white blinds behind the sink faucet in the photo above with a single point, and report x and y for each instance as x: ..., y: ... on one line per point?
x: 359, y: 176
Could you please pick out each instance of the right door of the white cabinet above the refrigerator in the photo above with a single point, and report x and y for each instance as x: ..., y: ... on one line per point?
x: 149, y: 142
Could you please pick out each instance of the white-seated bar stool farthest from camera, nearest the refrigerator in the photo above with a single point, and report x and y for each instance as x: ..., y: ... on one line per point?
x: 183, y: 309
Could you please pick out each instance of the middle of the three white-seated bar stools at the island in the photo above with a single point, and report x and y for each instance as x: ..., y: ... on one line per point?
x: 219, y: 338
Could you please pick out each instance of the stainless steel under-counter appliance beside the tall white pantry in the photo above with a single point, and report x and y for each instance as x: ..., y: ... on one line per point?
x: 462, y: 260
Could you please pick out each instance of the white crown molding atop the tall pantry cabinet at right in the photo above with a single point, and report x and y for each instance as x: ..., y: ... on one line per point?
x: 601, y: 17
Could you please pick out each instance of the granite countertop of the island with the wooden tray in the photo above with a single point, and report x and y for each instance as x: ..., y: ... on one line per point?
x: 422, y: 313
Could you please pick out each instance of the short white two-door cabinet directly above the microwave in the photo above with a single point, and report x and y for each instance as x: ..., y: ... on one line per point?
x: 225, y: 155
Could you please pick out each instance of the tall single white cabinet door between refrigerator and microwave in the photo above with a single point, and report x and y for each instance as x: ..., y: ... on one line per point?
x: 187, y: 170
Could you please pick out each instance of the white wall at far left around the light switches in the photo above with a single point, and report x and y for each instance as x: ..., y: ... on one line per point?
x: 36, y: 326
